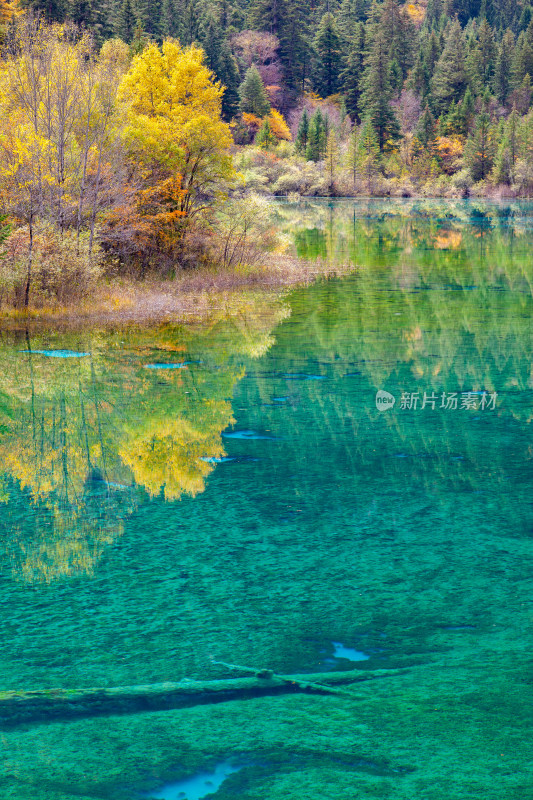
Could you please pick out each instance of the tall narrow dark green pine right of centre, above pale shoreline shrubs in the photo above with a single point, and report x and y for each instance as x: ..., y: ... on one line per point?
x: 375, y: 101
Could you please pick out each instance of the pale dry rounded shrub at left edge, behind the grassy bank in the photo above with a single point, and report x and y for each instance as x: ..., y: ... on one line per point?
x: 62, y: 270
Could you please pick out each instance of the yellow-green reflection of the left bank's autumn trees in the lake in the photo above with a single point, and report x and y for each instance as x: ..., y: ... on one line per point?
x: 81, y: 437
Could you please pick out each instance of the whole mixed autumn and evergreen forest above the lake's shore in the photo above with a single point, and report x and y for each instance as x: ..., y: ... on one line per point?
x: 132, y: 131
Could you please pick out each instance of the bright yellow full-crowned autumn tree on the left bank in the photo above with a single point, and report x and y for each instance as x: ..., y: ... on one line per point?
x: 174, y: 128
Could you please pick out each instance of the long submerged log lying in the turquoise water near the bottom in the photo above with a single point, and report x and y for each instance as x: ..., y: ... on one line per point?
x: 53, y: 704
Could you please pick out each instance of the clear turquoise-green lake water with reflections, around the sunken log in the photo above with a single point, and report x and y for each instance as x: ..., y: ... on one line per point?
x: 239, y: 491
